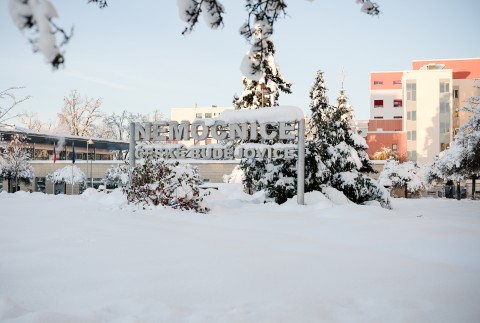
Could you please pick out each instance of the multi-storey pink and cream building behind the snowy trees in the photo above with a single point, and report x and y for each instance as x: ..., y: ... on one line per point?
x: 416, y: 113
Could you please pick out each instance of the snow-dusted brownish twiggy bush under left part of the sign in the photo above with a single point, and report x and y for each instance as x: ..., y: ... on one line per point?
x: 167, y: 183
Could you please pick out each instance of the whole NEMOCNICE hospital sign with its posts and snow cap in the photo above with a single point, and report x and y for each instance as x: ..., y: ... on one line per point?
x: 283, y: 123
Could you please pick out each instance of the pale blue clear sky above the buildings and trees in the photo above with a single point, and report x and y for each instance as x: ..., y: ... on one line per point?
x: 133, y: 55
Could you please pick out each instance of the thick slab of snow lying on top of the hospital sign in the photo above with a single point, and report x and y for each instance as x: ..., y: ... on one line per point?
x: 270, y: 114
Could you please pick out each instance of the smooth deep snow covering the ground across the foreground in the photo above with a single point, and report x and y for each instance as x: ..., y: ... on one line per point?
x: 91, y: 258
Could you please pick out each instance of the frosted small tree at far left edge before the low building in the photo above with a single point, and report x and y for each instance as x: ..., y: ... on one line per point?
x: 14, y: 161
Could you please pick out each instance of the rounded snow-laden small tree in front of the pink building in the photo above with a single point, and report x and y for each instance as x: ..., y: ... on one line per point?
x: 408, y: 175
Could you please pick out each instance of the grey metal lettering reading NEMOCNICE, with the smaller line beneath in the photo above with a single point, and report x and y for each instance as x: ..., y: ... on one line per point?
x: 157, y: 133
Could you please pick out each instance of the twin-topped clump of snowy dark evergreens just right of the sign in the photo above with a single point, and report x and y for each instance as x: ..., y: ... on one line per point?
x: 334, y: 148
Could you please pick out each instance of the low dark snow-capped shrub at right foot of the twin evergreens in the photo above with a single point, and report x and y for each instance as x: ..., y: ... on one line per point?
x: 359, y: 189
